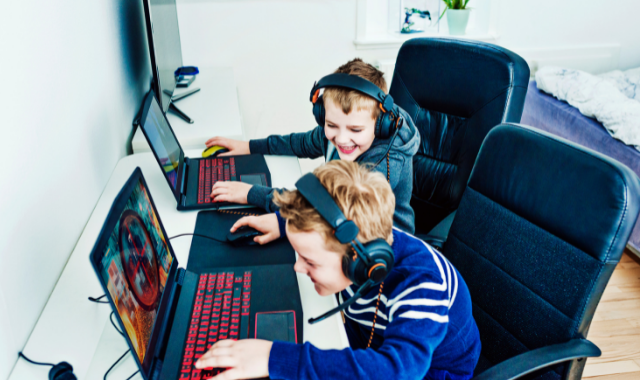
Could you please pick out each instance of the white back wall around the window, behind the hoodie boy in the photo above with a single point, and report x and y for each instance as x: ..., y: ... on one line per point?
x: 278, y: 48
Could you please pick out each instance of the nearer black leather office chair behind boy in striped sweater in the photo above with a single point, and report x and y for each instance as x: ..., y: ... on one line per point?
x: 540, y: 228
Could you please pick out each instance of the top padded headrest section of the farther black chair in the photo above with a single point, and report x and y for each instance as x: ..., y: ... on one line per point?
x: 446, y: 74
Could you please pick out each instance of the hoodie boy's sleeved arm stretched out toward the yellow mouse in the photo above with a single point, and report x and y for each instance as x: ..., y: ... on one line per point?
x: 309, y: 144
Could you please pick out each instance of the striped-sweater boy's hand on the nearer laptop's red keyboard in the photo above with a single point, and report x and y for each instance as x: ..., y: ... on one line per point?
x: 244, y: 359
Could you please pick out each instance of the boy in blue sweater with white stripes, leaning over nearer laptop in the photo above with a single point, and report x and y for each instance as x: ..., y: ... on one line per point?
x: 417, y: 324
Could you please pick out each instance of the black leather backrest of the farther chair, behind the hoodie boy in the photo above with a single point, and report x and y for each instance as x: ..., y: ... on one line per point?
x: 455, y: 91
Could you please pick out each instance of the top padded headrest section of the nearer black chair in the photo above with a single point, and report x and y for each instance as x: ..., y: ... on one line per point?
x: 583, y: 197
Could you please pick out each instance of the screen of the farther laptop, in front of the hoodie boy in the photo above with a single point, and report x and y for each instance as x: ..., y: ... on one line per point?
x: 163, y: 142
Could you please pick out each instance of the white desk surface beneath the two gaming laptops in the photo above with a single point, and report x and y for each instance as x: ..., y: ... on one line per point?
x: 75, y: 330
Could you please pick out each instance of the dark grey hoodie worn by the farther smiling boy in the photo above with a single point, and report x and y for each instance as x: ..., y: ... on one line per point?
x: 314, y: 144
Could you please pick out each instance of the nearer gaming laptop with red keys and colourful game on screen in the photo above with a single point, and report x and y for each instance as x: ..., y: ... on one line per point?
x: 171, y: 316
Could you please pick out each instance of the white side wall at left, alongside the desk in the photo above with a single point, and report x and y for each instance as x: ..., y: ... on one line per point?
x: 74, y: 74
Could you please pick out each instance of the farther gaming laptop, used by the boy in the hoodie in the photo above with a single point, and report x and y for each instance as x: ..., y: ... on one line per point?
x: 191, y: 179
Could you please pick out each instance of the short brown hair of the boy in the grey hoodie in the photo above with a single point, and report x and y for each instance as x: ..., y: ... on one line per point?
x: 348, y: 99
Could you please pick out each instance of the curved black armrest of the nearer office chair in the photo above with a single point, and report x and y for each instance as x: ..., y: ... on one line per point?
x: 540, y: 358
